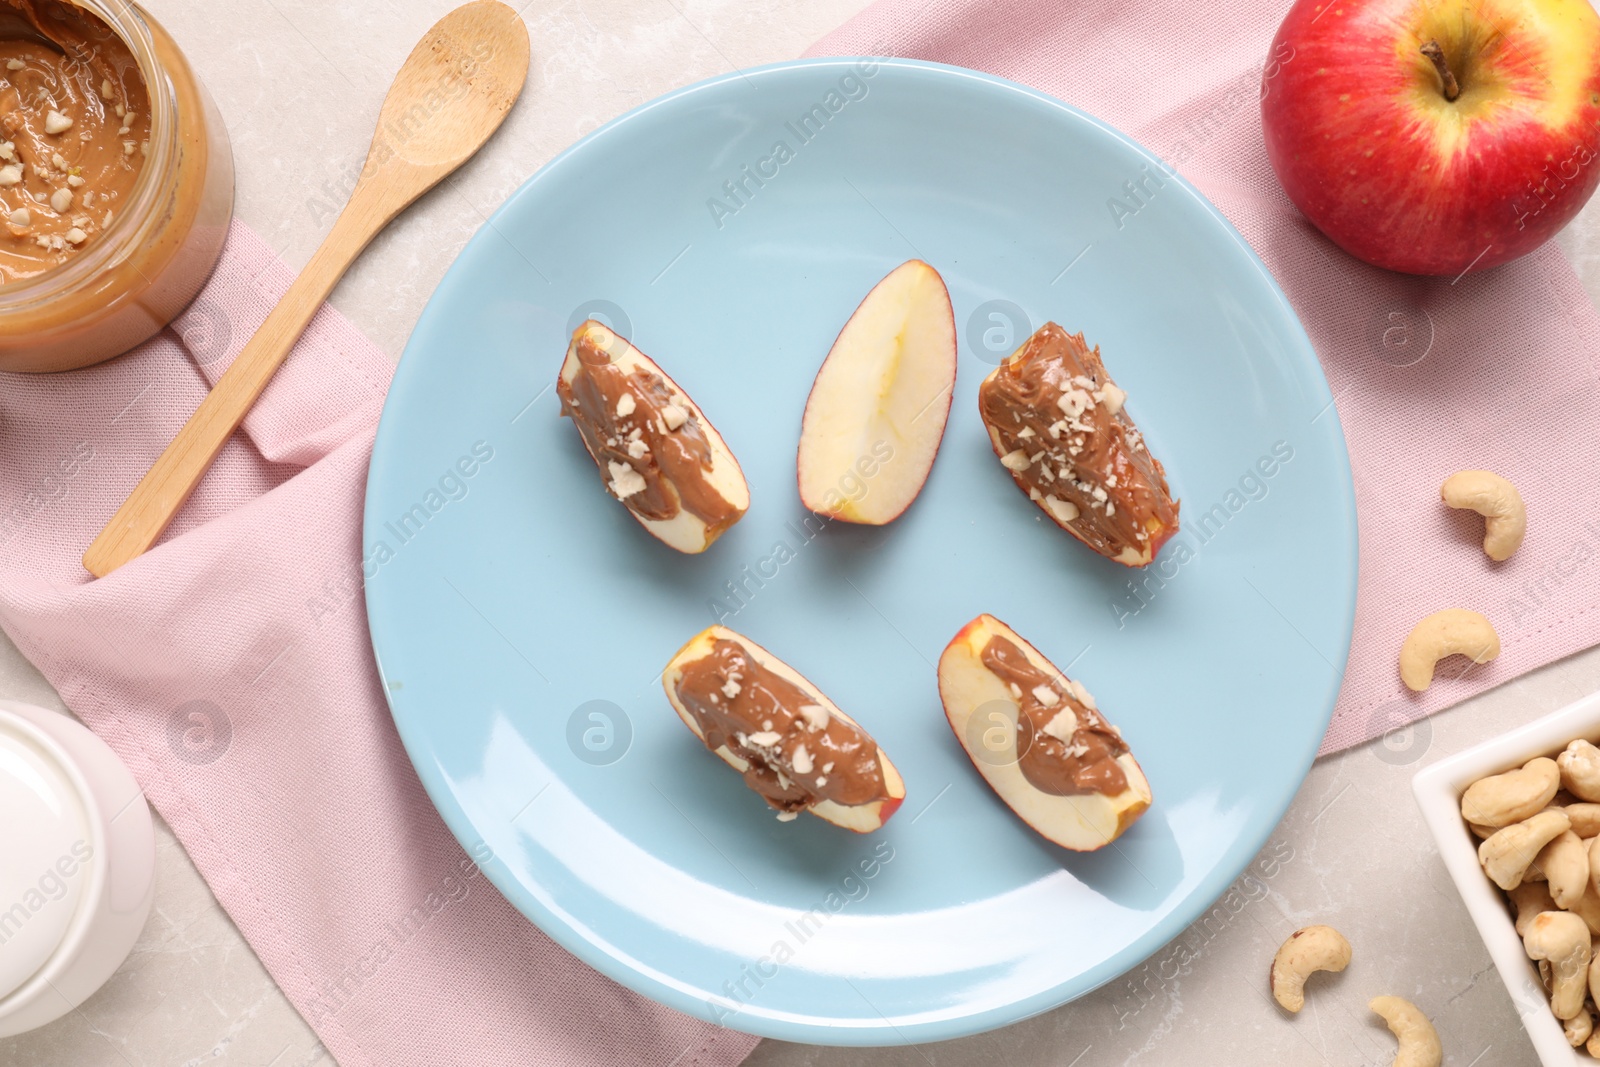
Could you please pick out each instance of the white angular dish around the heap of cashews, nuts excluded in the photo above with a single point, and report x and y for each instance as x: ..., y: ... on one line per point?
x: 1439, y: 791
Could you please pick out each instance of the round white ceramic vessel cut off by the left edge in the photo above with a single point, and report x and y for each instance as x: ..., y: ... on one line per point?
x: 78, y: 871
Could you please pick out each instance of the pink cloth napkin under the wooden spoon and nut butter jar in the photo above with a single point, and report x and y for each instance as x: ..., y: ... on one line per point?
x: 231, y: 669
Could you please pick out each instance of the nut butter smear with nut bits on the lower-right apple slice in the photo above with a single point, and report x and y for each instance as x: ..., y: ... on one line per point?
x: 1066, y: 748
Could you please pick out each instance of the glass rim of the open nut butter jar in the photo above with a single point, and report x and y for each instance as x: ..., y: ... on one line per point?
x: 137, y: 217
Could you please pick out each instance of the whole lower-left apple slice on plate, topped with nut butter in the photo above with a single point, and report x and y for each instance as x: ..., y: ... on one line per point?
x: 778, y: 730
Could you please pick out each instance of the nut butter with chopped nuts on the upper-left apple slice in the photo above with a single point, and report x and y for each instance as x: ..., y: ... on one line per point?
x: 647, y: 439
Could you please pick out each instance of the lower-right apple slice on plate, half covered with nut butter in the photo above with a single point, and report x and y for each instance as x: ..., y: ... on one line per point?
x: 1108, y: 794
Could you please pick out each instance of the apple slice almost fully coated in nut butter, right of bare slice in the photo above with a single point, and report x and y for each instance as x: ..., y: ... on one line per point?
x: 1058, y: 425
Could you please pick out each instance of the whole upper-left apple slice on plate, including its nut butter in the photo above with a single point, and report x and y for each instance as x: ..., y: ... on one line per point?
x: 655, y: 449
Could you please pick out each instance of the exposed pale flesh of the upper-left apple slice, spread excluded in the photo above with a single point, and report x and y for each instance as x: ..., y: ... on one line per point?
x: 684, y: 532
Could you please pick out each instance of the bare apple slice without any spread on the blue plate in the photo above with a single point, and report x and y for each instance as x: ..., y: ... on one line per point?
x: 878, y: 409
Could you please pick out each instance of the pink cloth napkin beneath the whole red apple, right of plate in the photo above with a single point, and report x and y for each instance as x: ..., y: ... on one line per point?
x: 1431, y: 377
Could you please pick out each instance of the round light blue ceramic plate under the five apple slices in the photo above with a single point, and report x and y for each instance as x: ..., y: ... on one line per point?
x: 522, y: 618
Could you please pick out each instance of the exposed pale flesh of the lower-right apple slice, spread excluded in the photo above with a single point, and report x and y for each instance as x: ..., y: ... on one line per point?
x: 1084, y: 821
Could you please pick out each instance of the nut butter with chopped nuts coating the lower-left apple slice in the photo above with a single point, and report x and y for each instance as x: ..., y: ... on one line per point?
x: 799, y: 753
